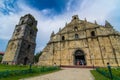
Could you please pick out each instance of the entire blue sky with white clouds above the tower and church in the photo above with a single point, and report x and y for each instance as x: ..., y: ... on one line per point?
x: 54, y: 14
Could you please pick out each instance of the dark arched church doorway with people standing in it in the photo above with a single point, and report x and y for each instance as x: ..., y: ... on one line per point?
x: 79, y: 58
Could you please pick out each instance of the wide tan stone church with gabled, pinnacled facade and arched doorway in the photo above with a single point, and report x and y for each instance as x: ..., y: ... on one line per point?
x: 83, y: 43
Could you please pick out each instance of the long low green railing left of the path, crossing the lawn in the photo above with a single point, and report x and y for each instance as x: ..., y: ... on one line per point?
x: 8, y: 73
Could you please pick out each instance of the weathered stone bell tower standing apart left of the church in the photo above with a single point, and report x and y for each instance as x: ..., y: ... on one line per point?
x: 21, y: 47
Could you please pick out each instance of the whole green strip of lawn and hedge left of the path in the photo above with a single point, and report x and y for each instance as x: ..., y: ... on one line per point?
x: 23, y: 71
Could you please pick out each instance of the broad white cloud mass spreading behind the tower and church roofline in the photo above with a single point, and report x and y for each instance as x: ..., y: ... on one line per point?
x: 99, y: 10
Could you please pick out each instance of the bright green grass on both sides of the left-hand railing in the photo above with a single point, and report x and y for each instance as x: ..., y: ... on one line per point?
x: 20, y: 76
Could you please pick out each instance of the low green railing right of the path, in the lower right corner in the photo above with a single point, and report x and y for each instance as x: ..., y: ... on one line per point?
x: 107, y: 74
